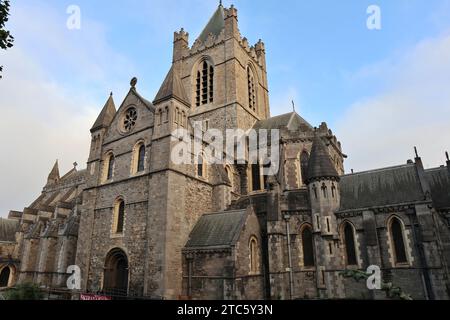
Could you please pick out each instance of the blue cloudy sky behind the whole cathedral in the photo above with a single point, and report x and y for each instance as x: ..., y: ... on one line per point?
x: 381, y: 91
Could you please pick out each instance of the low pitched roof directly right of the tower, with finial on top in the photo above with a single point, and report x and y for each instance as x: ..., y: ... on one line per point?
x: 290, y: 120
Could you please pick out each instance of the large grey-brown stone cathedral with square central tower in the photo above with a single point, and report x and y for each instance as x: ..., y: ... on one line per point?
x: 140, y: 226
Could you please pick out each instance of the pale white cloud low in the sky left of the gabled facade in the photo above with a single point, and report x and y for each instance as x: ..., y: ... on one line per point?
x: 39, y: 124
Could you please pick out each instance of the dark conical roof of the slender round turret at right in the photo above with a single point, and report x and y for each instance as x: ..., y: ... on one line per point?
x: 320, y: 165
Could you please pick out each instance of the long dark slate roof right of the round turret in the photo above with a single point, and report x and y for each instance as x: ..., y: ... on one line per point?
x: 377, y: 188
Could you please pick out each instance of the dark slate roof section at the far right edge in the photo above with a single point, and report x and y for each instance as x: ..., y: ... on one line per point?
x: 439, y: 182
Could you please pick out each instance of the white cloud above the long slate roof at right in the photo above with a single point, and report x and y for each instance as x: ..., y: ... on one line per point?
x: 413, y: 110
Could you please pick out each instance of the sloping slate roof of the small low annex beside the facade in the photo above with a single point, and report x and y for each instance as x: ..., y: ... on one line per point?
x: 217, y: 229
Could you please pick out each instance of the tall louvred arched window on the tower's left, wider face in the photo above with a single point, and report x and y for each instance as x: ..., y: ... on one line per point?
x: 204, y: 92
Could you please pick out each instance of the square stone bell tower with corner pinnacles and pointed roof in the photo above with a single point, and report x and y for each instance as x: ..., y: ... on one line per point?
x: 223, y: 76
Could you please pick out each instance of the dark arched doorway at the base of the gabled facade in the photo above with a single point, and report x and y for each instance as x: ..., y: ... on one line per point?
x: 116, y: 273
